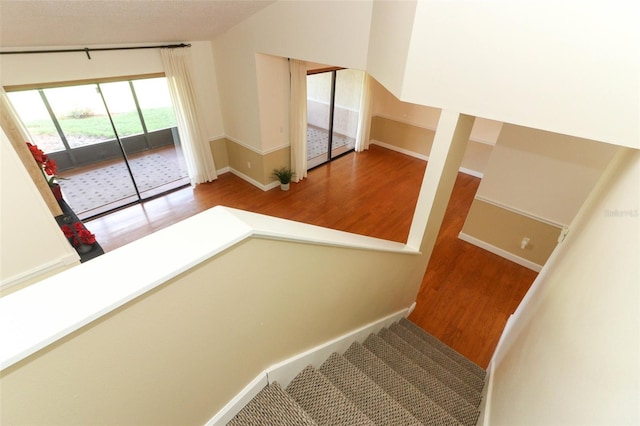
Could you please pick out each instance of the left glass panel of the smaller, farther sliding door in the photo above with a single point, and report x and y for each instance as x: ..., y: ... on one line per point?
x: 319, y: 95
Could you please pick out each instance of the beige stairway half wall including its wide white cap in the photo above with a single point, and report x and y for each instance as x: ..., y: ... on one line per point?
x: 168, y: 329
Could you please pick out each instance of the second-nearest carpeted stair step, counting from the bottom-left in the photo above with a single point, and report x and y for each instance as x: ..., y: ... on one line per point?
x: 325, y: 403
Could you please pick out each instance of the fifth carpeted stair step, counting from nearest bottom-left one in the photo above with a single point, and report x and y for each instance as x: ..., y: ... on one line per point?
x: 438, y: 392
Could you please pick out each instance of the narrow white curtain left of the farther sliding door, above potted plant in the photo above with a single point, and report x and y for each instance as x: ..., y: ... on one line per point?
x: 298, y: 118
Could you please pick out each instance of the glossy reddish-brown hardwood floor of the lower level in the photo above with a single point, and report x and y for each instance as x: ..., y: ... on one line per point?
x: 467, y: 293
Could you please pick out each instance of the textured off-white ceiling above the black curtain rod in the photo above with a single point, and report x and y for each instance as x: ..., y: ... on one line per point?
x: 31, y: 23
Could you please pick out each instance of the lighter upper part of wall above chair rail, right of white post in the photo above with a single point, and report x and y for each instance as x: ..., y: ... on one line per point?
x: 543, y: 174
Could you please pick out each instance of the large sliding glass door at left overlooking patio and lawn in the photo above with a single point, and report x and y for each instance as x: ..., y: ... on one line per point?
x: 115, y: 142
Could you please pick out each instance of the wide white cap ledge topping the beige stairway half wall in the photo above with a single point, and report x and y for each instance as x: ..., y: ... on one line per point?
x: 51, y: 309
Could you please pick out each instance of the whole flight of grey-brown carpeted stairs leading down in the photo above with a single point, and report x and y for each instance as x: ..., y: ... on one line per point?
x: 400, y: 376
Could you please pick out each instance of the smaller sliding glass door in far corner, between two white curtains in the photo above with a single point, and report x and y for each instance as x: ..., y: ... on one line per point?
x: 333, y: 108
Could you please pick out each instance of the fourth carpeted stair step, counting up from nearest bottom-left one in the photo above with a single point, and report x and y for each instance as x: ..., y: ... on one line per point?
x: 411, y: 398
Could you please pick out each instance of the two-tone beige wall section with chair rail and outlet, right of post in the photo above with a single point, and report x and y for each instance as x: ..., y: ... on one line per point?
x: 533, y: 185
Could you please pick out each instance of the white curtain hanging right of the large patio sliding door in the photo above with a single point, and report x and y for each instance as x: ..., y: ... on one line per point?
x: 195, y: 147
